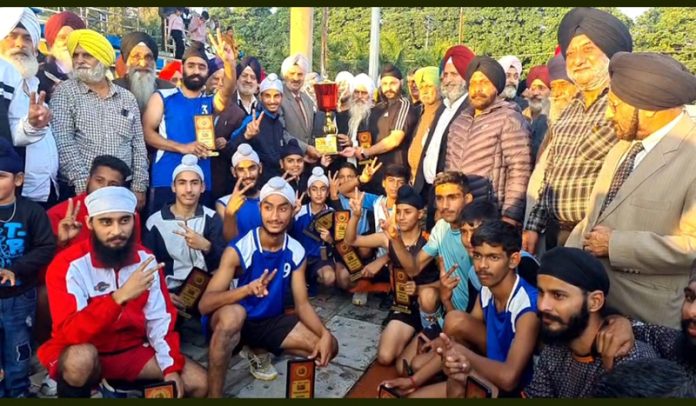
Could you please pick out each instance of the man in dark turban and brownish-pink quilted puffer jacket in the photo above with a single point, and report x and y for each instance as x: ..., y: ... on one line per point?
x: 489, y: 142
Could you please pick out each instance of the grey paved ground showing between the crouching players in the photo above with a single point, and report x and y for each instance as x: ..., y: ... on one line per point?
x: 357, y: 330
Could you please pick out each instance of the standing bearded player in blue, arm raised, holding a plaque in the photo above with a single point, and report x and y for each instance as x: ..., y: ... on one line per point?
x: 172, y: 119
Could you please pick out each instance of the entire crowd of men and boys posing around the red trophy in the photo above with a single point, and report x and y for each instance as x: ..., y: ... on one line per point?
x: 500, y: 218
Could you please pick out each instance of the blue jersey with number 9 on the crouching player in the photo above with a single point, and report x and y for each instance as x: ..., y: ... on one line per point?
x: 255, y: 260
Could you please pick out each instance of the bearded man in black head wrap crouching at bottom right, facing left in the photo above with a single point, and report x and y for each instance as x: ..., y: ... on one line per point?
x: 572, y: 287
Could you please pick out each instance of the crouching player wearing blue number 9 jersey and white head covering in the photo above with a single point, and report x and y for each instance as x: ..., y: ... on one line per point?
x: 272, y: 266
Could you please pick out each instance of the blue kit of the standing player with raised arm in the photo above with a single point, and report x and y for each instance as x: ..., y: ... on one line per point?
x: 178, y: 125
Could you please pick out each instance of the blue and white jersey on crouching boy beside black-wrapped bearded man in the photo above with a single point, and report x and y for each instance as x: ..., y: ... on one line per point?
x: 501, y: 326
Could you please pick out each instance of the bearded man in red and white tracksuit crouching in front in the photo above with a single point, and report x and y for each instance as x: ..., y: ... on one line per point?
x: 111, y: 316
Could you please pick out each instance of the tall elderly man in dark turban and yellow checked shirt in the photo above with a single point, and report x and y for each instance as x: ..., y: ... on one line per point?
x: 582, y: 136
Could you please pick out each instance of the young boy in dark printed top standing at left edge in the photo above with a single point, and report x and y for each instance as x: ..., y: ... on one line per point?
x: 27, y: 245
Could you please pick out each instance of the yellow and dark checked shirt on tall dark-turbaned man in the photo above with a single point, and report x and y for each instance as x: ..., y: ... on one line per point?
x: 581, y: 139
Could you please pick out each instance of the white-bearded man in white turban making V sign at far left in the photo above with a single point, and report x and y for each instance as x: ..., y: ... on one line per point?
x: 28, y: 115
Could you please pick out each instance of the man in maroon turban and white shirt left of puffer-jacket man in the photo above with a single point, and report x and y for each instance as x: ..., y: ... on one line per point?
x: 454, y: 100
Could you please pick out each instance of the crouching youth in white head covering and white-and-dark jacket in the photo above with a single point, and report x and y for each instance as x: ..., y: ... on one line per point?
x: 185, y: 234
